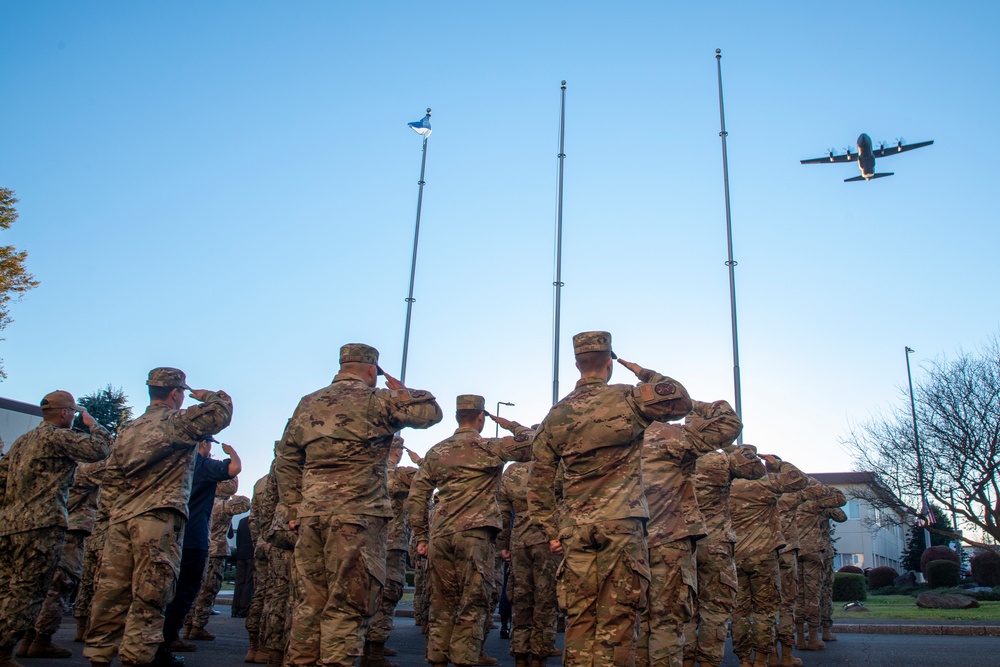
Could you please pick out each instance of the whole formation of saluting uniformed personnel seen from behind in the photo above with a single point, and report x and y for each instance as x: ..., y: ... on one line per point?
x: 652, y: 536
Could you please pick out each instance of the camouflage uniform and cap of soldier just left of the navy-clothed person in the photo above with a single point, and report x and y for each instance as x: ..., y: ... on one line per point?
x: 152, y: 463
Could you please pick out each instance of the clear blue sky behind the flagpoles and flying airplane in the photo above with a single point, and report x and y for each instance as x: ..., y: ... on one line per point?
x: 230, y: 188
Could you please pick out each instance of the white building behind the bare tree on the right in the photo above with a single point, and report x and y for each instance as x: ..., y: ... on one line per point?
x: 876, y: 531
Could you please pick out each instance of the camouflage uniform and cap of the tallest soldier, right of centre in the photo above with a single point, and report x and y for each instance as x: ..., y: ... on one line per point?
x: 596, y: 434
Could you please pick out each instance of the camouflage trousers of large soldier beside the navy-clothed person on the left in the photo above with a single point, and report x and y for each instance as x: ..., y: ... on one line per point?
x: 138, y: 578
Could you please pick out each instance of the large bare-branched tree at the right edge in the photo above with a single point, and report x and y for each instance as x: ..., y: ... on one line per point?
x: 958, y: 427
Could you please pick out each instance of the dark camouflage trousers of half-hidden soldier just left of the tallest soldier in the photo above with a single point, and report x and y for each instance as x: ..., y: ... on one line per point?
x: 531, y: 586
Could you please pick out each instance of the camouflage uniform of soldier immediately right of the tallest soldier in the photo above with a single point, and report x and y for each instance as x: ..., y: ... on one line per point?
x: 669, y: 455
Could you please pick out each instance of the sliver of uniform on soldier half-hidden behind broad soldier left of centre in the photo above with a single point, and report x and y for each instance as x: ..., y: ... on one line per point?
x: 399, y: 481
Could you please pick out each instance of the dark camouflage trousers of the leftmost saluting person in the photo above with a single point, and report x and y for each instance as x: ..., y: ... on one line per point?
x: 27, y: 562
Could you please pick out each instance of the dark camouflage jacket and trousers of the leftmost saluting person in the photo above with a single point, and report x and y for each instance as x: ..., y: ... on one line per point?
x: 35, y: 477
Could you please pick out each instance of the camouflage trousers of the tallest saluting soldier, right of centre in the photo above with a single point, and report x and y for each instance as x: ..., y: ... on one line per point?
x: 602, y: 585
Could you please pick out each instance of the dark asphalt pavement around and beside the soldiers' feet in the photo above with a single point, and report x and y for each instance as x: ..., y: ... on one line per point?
x: 856, y: 650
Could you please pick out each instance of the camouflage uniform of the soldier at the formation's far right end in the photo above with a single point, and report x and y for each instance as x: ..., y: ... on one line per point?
x: 813, y: 541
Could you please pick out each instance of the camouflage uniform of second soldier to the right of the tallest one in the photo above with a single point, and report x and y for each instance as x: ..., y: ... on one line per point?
x: 705, y: 634
